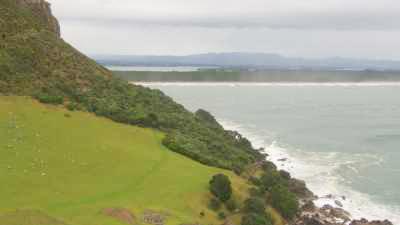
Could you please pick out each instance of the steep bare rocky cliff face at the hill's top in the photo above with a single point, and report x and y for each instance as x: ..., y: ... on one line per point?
x: 42, y: 10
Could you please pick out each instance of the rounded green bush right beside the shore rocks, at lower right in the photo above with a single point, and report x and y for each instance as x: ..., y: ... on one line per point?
x: 284, y: 201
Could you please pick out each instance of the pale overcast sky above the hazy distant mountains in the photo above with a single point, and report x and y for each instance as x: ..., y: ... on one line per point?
x: 305, y: 28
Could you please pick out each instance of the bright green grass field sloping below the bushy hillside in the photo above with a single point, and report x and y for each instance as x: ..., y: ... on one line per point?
x: 71, y: 165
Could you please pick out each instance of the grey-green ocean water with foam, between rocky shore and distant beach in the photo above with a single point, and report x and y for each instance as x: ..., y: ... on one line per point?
x: 343, y: 139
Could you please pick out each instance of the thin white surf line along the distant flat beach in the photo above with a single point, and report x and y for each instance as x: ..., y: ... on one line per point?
x: 283, y: 84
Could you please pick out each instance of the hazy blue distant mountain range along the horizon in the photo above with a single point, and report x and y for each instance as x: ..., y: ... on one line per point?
x: 249, y: 60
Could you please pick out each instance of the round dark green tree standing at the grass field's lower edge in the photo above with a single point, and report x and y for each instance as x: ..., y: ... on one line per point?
x: 220, y: 187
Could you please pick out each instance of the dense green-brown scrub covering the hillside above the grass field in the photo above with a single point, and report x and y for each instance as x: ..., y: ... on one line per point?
x: 35, y: 61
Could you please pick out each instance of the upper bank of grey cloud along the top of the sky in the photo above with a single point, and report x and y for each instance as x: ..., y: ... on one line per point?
x: 295, y: 14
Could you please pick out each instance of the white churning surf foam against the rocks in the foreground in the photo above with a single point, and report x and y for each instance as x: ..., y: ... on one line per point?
x: 319, y: 172
